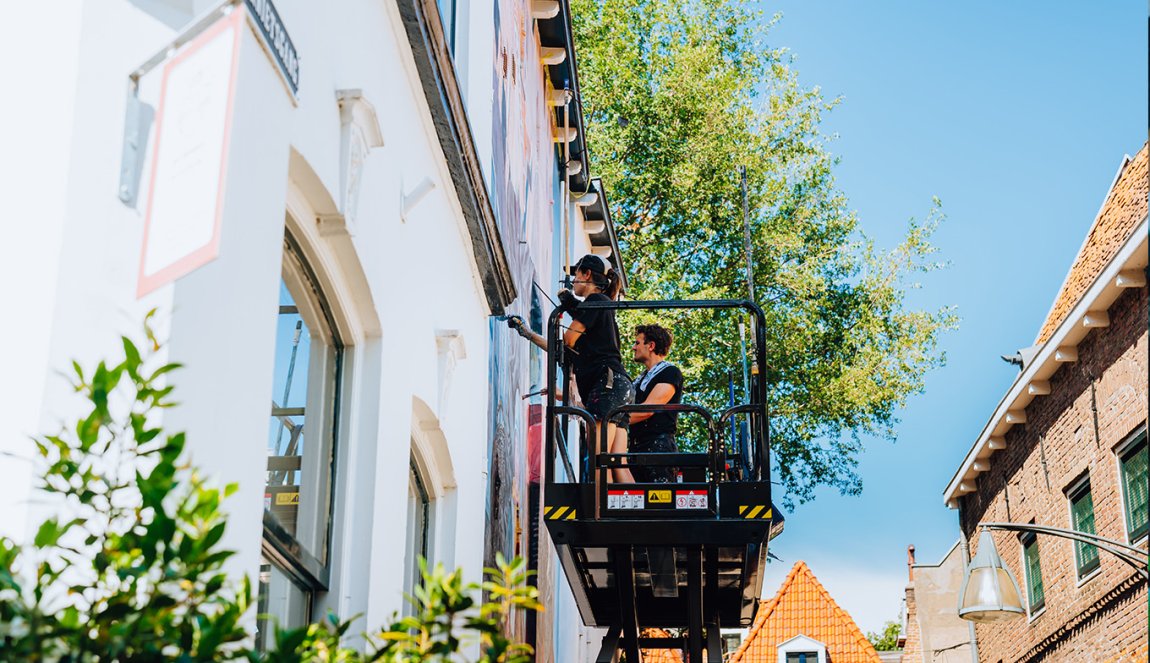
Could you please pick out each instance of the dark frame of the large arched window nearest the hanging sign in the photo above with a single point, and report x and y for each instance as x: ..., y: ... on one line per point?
x: 308, y: 569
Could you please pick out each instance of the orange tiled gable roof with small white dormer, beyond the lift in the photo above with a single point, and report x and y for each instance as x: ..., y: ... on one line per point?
x: 804, y: 607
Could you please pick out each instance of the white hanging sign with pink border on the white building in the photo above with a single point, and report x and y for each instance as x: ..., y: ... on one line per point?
x: 190, y: 157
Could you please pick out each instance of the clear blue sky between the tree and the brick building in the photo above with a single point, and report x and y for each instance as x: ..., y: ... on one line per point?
x: 1017, y: 117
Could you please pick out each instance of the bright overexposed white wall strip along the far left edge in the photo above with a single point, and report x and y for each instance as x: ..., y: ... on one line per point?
x: 36, y: 130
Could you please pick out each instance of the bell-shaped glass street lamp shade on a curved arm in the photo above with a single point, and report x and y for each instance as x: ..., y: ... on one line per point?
x: 990, y: 592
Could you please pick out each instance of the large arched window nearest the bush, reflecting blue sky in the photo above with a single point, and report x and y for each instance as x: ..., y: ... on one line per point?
x: 302, y: 448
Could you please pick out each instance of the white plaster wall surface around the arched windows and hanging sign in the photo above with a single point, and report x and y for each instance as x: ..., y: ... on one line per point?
x: 420, y: 275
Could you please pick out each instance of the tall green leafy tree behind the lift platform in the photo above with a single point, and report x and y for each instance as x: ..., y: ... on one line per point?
x: 678, y: 94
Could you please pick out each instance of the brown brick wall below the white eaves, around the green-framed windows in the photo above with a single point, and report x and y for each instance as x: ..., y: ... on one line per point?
x: 1105, y: 616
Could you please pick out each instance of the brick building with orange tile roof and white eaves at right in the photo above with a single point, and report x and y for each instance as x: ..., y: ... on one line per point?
x: 1067, y: 448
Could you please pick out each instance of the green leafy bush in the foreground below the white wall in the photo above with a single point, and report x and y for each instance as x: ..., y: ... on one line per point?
x: 135, y: 571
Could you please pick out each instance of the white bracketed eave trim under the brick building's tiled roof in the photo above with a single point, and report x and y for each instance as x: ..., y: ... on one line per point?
x: 1100, y: 297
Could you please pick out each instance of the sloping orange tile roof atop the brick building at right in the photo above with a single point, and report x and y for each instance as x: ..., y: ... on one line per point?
x: 1122, y: 213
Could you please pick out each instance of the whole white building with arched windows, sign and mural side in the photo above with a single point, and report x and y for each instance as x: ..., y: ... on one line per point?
x: 331, y: 206
